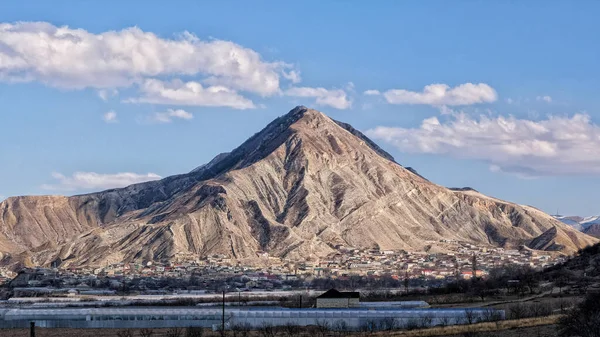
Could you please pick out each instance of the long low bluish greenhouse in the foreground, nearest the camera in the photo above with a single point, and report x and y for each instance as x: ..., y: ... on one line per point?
x: 159, y: 317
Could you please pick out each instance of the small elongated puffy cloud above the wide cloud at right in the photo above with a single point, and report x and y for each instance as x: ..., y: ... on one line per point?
x: 443, y: 94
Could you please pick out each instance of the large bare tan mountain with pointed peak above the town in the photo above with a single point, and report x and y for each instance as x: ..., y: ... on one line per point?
x: 297, y: 189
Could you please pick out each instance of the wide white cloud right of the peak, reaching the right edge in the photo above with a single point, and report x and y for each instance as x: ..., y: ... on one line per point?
x: 554, y: 146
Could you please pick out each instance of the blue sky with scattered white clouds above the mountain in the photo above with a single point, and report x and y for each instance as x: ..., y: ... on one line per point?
x: 499, y: 96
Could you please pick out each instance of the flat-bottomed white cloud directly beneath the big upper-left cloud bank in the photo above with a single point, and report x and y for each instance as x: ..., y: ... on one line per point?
x: 189, y: 93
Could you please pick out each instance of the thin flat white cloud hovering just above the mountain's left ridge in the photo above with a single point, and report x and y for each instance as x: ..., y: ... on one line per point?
x: 94, y: 181
